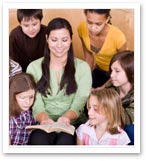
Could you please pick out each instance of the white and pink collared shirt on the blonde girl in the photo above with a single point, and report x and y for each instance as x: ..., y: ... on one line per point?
x: 87, y: 134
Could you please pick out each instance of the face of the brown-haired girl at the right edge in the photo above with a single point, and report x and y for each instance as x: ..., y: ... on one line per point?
x: 118, y: 75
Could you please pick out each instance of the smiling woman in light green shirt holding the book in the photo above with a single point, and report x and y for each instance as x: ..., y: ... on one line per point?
x: 63, y: 85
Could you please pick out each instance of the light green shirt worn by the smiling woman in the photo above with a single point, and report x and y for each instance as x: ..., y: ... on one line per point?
x: 58, y: 102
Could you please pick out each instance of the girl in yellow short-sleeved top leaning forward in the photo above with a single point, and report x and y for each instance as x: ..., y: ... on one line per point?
x: 101, y: 41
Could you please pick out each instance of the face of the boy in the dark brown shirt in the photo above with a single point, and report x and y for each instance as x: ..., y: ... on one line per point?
x: 31, y: 28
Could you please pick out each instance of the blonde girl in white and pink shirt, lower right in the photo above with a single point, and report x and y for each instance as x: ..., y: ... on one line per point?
x: 105, y: 123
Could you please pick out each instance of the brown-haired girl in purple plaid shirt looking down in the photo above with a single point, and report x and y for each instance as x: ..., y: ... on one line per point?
x: 22, y: 94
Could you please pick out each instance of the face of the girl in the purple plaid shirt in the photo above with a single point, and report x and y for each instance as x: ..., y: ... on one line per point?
x: 25, y: 99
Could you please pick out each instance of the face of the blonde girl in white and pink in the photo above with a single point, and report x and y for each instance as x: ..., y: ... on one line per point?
x: 96, y: 116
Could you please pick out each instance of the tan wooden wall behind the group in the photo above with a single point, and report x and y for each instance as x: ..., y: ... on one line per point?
x: 122, y: 18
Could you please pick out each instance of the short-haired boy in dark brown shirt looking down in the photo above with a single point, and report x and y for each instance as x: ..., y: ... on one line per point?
x: 27, y: 41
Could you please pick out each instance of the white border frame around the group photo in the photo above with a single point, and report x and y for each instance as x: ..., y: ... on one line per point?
x: 70, y: 149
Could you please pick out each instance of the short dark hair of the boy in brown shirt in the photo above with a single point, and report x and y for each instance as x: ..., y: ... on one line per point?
x: 27, y: 14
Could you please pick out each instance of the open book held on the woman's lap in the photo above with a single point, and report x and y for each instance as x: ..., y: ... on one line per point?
x: 56, y: 126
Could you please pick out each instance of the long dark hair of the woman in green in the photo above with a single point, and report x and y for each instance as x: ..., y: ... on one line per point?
x: 68, y: 78
